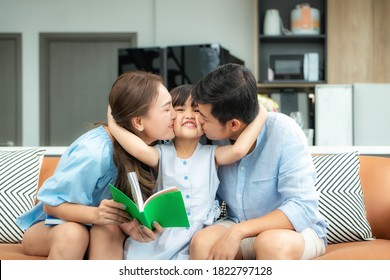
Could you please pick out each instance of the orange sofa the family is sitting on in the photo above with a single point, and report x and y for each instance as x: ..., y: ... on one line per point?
x: 375, y: 180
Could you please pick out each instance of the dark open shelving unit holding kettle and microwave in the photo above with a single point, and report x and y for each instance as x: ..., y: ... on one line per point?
x: 291, y: 95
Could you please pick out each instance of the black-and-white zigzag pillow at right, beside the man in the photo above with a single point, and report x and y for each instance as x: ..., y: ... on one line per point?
x: 341, y: 197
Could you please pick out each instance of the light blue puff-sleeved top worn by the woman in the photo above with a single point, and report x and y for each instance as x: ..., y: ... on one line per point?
x: 82, y: 176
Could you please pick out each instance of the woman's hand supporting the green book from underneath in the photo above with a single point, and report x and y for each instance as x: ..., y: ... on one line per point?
x: 139, y: 232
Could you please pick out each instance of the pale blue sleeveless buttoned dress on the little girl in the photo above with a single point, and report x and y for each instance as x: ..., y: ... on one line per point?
x: 197, y: 178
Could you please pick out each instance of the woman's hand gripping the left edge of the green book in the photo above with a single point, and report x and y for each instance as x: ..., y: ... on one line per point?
x: 111, y: 213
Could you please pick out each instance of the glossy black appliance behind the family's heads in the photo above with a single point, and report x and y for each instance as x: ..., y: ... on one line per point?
x: 181, y: 64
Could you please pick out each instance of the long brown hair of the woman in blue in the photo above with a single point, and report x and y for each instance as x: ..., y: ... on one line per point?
x: 131, y: 96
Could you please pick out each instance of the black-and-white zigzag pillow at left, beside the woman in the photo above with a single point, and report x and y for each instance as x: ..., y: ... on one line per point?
x: 19, y: 175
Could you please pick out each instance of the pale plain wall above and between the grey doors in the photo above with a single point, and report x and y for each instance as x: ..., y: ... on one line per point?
x: 157, y: 23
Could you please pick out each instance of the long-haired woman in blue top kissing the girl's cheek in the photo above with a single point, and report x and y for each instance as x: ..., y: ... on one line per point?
x: 78, y: 192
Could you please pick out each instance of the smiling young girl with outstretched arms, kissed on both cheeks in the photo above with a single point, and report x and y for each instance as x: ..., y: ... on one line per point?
x: 187, y: 164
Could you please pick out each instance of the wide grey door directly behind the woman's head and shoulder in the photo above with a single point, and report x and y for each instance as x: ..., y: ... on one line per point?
x: 76, y: 74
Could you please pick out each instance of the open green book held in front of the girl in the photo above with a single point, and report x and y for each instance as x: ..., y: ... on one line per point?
x: 165, y: 207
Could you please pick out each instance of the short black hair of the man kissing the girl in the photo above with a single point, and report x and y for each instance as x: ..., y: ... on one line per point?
x: 231, y: 89
